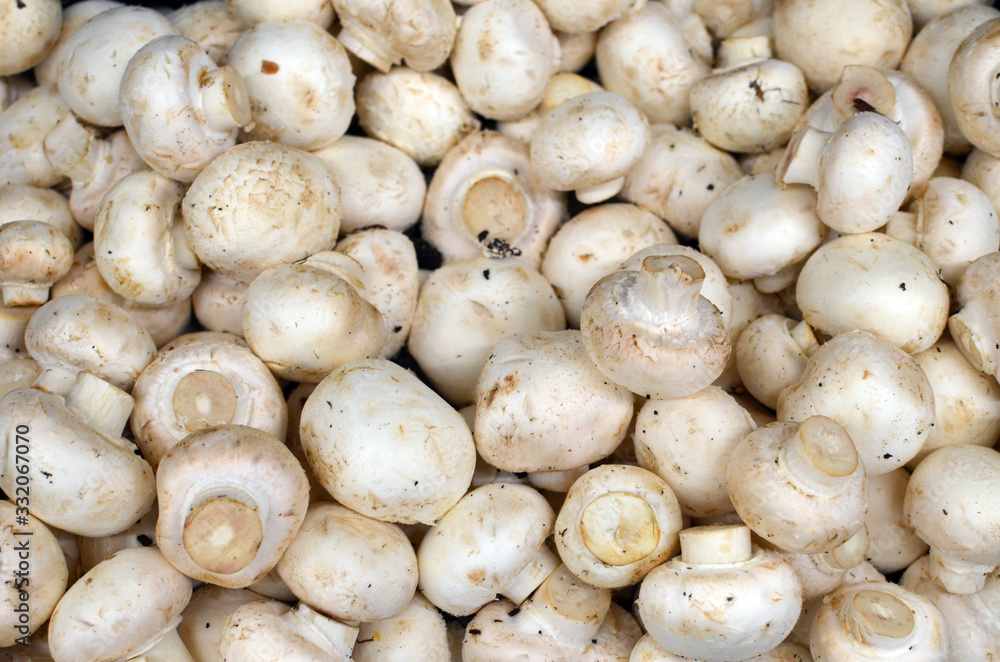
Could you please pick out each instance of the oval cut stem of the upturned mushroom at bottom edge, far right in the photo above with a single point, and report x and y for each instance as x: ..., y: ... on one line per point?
x: 879, y: 619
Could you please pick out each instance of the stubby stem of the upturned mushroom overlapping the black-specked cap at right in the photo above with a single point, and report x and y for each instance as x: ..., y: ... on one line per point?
x: 820, y: 455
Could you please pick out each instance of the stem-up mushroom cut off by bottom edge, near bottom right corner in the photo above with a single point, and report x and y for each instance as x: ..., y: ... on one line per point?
x: 879, y: 620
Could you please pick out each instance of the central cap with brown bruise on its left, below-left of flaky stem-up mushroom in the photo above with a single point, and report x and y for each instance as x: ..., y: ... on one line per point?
x: 542, y: 405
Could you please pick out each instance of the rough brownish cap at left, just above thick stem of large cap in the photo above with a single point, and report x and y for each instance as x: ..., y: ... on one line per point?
x: 74, y: 333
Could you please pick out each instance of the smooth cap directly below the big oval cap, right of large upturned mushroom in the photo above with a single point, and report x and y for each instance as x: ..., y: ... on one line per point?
x: 330, y: 567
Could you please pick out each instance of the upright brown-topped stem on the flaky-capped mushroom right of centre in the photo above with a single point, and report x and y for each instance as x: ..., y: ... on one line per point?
x: 666, y: 291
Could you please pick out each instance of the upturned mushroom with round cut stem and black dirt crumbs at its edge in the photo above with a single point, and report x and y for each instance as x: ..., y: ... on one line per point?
x: 486, y: 188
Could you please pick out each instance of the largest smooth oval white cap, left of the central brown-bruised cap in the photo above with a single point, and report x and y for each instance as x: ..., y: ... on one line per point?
x: 407, y: 463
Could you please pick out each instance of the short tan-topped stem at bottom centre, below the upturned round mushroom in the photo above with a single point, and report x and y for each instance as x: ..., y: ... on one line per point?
x: 569, y: 611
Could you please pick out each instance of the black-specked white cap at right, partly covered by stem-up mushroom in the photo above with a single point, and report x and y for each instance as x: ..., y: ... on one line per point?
x: 874, y: 390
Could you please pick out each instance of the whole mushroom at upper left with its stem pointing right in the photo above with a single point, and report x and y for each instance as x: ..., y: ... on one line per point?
x: 181, y: 110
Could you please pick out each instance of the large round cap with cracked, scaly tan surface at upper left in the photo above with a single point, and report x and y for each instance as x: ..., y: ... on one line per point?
x: 260, y: 204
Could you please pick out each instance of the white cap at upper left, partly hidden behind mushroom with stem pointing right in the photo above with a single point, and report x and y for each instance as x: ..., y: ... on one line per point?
x: 112, y: 38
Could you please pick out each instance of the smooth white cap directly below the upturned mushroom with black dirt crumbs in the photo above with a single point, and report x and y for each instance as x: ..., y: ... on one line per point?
x: 465, y: 307
